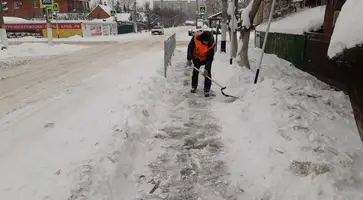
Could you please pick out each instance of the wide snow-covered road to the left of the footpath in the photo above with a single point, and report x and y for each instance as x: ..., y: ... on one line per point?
x: 59, y: 111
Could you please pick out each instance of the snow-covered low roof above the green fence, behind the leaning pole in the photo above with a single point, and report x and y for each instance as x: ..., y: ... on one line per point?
x: 298, y: 23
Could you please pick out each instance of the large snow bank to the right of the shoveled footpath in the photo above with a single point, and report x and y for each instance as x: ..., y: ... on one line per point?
x: 288, y: 137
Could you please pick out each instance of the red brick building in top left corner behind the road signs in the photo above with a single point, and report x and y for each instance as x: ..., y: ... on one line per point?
x: 31, y: 8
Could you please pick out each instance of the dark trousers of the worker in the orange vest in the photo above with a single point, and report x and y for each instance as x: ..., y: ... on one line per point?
x: 208, y: 67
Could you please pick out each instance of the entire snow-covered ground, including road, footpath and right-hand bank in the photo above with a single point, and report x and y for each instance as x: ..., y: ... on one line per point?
x: 103, y: 123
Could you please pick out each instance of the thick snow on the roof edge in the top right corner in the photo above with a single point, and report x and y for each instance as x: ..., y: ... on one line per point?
x: 348, y: 31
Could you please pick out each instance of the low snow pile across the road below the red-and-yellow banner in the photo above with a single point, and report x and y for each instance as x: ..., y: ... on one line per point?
x: 37, y: 49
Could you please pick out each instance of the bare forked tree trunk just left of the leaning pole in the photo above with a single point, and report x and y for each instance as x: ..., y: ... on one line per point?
x: 245, y: 34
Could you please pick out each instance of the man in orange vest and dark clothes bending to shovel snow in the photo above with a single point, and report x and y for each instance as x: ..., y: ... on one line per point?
x: 201, y: 52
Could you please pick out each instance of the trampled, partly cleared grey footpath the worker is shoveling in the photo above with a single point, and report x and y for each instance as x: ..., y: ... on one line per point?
x: 189, y: 169
